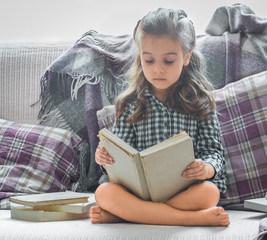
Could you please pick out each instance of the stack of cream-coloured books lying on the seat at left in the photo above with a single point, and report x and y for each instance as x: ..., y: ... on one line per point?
x: 57, y: 206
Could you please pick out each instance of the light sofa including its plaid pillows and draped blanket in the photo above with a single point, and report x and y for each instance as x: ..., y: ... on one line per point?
x: 55, y: 96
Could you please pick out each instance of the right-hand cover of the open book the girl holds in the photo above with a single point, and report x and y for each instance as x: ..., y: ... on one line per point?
x: 163, y: 169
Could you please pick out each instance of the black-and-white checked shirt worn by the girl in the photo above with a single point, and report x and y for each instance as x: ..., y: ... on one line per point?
x: 164, y: 123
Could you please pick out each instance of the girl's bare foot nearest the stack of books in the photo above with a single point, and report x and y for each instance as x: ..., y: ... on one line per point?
x: 99, y: 215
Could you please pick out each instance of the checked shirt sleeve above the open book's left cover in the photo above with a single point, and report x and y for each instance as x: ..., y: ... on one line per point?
x: 125, y: 130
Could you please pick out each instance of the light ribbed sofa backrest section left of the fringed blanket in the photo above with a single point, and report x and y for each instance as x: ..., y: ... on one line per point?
x: 21, y: 67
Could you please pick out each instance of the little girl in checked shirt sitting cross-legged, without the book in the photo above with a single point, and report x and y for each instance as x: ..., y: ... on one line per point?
x: 168, y: 94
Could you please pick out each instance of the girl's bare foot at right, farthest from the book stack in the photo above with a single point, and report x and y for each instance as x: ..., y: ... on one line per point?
x: 215, y: 216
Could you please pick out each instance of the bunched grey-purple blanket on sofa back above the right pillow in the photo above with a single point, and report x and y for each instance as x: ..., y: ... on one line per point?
x: 235, y: 44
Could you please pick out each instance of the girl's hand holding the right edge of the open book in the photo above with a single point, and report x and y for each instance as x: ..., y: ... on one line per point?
x: 199, y: 170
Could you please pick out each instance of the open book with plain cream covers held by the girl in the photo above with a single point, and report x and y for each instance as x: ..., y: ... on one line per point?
x: 154, y: 173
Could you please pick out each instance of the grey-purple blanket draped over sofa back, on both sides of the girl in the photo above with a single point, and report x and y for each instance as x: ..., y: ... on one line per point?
x: 91, y: 74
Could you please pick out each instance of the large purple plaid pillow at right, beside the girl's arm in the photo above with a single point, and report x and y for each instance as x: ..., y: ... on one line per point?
x: 242, y: 113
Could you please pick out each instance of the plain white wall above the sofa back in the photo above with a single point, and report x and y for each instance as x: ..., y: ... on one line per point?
x: 44, y: 20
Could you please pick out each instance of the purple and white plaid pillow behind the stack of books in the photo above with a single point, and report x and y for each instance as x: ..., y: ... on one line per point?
x: 36, y: 159
